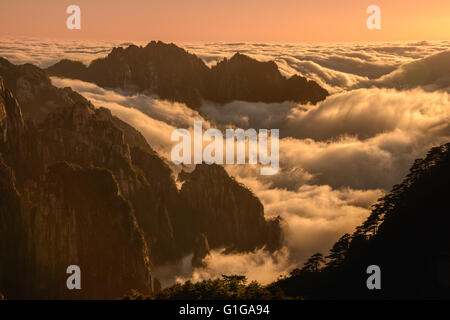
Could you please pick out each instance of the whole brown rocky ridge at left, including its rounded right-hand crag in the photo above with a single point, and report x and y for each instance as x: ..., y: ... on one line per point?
x: 79, y: 186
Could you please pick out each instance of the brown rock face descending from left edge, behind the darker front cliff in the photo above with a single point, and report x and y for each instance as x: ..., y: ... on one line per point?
x: 76, y: 132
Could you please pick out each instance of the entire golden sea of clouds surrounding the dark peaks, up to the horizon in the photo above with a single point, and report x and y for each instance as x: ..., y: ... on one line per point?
x: 389, y: 104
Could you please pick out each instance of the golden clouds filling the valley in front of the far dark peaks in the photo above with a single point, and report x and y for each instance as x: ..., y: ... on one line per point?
x: 339, y: 158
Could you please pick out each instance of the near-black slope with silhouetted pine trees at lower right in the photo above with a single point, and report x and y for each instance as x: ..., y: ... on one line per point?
x: 406, y: 235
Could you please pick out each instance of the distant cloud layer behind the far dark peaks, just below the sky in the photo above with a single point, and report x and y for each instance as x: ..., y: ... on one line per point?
x: 335, y: 66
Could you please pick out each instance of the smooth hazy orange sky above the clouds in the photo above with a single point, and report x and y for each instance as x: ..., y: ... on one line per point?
x: 230, y: 20
